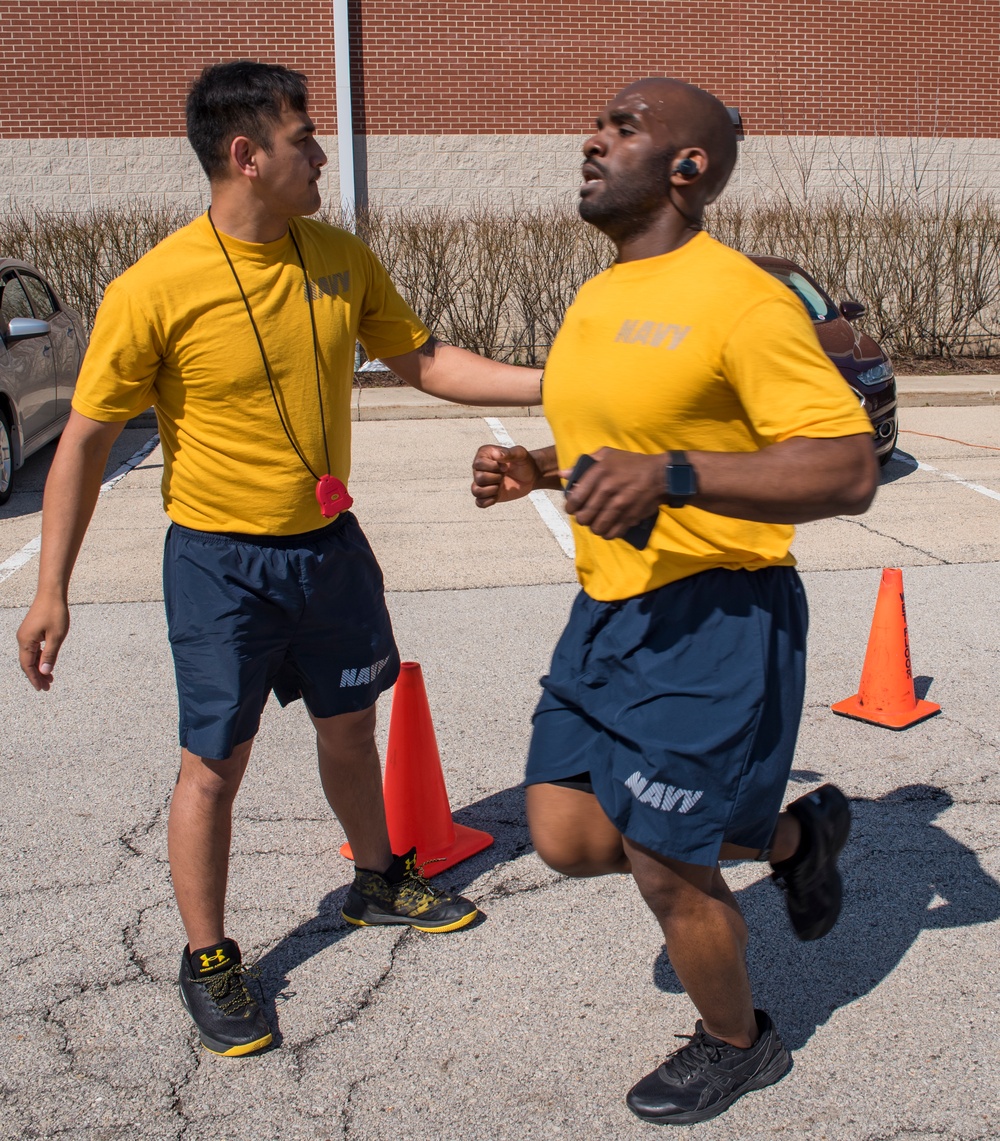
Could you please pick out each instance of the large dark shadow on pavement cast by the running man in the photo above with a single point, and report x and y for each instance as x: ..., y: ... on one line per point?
x: 902, y: 876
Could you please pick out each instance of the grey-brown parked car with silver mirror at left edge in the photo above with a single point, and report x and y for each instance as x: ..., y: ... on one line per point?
x: 42, y: 346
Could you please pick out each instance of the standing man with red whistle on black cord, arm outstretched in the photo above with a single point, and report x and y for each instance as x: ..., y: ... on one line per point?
x: 240, y: 330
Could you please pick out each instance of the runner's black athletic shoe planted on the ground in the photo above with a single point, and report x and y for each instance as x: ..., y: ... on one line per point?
x: 705, y: 1078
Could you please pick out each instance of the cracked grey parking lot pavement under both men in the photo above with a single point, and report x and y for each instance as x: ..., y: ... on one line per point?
x: 534, y: 1023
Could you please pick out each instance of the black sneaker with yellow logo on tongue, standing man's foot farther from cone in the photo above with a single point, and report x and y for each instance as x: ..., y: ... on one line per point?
x: 227, y: 1015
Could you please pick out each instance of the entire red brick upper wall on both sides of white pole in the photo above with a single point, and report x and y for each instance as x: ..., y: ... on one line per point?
x: 461, y: 67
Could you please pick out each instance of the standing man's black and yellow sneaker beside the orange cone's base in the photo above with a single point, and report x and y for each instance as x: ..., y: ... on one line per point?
x: 404, y: 896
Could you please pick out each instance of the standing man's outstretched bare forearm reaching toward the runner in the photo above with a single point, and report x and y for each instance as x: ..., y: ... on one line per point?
x: 453, y: 374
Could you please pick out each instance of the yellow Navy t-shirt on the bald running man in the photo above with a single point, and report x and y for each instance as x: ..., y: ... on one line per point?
x: 697, y: 351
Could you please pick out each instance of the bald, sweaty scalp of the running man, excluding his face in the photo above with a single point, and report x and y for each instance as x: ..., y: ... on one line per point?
x: 692, y: 118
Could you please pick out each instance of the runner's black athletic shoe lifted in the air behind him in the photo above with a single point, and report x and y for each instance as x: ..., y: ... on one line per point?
x: 811, y: 881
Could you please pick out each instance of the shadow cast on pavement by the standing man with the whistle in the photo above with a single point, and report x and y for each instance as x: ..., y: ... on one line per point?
x: 501, y: 814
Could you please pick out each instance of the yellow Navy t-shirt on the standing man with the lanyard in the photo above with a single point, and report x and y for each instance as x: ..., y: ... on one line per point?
x: 173, y: 334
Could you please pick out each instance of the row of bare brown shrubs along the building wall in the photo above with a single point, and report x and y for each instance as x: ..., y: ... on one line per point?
x: 499, y: 282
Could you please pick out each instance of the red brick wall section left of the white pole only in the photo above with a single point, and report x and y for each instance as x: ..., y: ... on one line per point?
x: 123, y: 68
